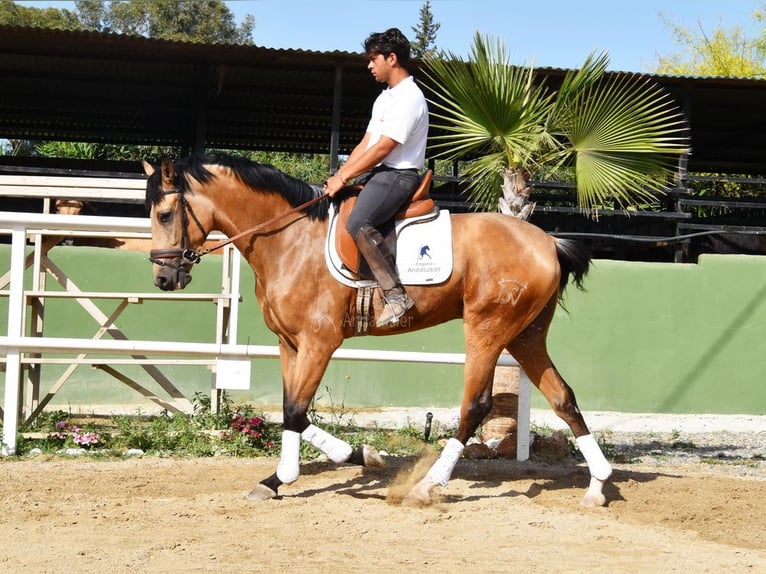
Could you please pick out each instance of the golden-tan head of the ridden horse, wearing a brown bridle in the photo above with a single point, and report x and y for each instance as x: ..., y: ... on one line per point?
x: 177, y: 230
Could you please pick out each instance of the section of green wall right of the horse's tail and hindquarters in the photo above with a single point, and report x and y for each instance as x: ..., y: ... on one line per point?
x: 669, y: 338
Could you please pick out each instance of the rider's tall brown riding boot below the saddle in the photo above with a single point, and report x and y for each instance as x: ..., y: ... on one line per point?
x: 375, y: 251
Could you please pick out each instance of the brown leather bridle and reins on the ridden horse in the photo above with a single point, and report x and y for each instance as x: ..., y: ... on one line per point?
x: 185, y: 255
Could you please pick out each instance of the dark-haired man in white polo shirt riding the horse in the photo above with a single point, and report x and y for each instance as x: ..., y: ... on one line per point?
x: 393, y: 152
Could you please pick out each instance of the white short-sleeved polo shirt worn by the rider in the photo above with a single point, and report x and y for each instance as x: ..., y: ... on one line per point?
x: 401, y: 113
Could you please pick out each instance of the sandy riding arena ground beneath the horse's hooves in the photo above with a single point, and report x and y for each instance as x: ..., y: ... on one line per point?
x: 173, y: 515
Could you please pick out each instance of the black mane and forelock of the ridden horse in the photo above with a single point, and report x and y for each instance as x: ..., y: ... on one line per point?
x: 258, y: 176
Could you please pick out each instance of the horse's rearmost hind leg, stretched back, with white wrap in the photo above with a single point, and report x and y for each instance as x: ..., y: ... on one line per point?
x: 530, y: 350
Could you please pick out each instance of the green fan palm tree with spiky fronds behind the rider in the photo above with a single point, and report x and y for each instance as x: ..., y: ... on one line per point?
x: 621, y: 136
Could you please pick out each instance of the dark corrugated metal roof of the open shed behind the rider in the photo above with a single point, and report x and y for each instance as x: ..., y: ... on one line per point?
x: 88, y: 86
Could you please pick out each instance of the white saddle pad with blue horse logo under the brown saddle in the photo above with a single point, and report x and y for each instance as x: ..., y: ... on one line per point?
x: 423, y: 251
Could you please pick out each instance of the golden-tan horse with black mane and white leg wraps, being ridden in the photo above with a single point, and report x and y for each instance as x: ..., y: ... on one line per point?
x: 507, y: 280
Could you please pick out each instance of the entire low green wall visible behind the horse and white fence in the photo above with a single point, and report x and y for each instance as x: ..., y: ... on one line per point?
x: 644, y: 337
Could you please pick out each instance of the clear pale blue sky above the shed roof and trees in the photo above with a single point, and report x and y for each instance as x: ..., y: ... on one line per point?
x: 555, y: 33
